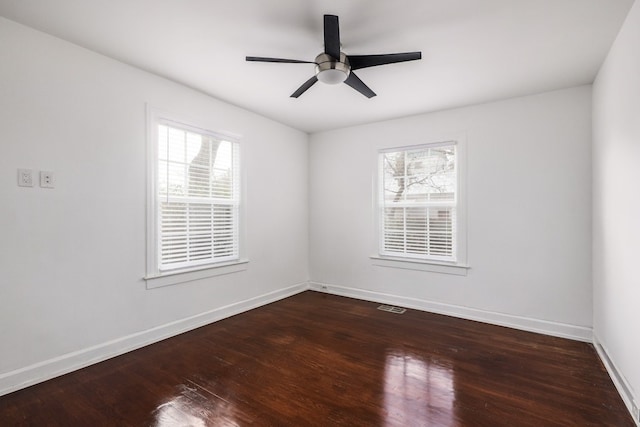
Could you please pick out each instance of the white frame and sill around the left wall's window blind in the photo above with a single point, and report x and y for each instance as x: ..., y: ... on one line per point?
x: 155, y: 277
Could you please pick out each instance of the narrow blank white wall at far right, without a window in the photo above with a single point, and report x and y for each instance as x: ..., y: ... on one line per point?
x: 616, y: 204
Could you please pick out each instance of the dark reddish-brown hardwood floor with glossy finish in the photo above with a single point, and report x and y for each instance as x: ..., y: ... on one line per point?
x: 322, y: 360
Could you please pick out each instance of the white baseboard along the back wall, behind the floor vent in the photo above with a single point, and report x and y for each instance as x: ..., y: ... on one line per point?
x: 574, y: 332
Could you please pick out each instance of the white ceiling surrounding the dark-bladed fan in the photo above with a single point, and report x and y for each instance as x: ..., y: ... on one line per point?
x: 473, y: 50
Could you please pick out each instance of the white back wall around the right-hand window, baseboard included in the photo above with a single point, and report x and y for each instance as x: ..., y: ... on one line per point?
x: 529, y: 221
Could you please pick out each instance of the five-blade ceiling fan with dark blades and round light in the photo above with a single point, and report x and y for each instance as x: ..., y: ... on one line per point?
x: 334, y: 66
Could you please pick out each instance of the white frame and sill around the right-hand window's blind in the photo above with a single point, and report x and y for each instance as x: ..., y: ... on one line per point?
x: 457, y: 267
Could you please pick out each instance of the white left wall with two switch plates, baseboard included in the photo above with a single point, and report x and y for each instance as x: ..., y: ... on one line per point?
x: 72, y: 259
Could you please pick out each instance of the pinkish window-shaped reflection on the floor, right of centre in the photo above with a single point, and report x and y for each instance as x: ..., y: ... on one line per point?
x: 417, y: 392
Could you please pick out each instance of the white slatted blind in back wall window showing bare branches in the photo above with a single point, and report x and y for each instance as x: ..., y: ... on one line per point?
x: 418, y: 201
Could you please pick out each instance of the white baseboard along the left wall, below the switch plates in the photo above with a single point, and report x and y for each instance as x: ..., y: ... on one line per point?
x: 45, y: 370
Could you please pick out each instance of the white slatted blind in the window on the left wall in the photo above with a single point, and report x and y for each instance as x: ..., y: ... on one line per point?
x: 197, y: 199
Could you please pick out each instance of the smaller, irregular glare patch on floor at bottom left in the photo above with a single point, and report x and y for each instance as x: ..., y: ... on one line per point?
x: 193, y: 407
